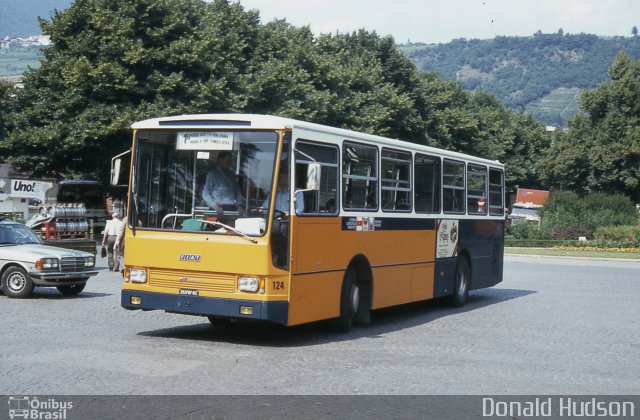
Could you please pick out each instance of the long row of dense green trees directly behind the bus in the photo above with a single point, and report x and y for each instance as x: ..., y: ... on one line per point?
x: 114, y: 62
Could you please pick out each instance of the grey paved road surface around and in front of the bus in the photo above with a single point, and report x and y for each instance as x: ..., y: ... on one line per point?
x: 553, y: 326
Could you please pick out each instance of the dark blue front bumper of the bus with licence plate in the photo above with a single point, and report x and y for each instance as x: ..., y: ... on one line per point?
x: 195, y: 305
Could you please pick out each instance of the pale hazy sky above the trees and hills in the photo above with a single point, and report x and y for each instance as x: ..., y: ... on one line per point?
x: 440, y: 21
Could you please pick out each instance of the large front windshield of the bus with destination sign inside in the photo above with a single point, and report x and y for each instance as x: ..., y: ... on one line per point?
x: 213, y: 181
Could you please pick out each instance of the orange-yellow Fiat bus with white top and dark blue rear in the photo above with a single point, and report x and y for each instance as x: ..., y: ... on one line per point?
x: 320, y: 222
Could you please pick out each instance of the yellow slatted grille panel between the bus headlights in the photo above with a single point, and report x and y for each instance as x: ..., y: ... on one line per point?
x: 206, y: 282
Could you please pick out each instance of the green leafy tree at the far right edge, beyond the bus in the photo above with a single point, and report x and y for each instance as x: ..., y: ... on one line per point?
x: 601, y: 152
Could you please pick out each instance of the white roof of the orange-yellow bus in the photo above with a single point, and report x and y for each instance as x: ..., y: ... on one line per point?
x: 270, y: 122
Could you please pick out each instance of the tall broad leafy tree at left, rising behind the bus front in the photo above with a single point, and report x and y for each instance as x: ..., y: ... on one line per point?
x: 113, y: 62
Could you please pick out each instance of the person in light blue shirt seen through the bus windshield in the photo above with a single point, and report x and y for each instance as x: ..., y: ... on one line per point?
x: 221, y: 188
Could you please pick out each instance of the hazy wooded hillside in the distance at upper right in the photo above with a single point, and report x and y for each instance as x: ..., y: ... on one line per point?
x: 542, y: 73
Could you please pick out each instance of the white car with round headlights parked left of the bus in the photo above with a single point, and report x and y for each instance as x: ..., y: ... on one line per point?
x: 25, y: 262
